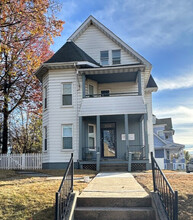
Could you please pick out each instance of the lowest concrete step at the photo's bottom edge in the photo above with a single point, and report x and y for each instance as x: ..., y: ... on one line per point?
x: 114, y: 213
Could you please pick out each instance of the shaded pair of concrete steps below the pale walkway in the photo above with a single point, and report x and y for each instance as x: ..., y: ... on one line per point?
x: 114, y: 209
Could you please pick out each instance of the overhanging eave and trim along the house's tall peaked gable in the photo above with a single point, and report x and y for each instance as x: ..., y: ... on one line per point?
x: 91, y: 20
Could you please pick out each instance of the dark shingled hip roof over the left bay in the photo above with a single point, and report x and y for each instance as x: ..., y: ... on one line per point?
x: 70, y: 52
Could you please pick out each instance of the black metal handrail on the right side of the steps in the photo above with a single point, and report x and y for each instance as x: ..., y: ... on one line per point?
x: 167, y: 195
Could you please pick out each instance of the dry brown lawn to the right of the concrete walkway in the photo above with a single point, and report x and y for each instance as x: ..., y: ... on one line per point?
x: 181, y: 182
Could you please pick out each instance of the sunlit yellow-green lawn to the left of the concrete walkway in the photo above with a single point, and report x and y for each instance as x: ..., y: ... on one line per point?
x: 23, y: 197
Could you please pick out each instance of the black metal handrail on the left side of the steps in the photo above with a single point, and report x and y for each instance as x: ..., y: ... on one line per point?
x: 64, y: 193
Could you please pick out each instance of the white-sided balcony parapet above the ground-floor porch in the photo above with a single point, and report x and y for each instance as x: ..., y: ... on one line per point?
x: 112, y: 106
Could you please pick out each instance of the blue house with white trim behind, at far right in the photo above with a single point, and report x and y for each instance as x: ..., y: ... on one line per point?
x: 168, y: 154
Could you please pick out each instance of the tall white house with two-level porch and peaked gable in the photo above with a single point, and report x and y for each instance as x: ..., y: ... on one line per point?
x: 97, y: 94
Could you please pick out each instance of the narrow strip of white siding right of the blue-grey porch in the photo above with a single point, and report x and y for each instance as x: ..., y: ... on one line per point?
x: 148, y: 102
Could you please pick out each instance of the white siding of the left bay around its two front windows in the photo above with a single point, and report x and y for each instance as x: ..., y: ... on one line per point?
x: 59, y: 115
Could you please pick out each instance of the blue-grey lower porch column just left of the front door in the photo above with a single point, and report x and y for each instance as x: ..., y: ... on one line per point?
x: 98, y: 142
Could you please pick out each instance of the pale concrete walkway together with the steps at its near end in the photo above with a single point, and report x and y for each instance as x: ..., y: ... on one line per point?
x: 114, y: 196
